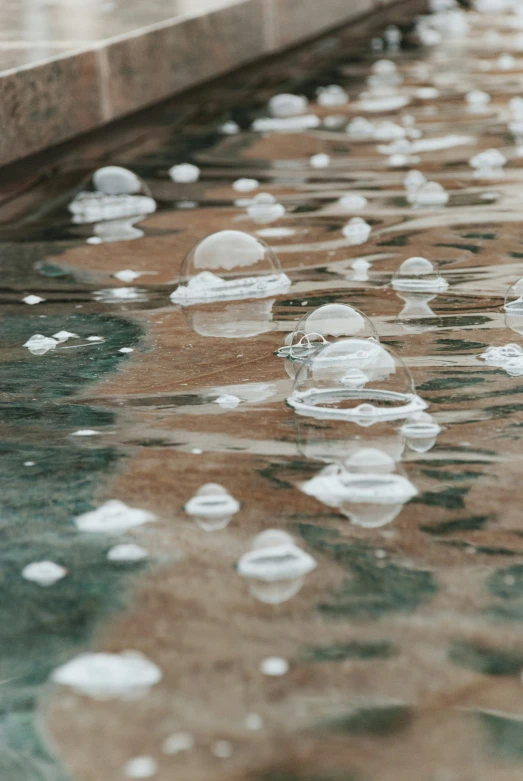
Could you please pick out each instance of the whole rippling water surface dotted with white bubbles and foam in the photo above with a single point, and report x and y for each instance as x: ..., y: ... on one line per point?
x: 297, y: 578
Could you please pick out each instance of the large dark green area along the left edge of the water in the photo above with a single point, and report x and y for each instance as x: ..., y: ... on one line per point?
x: 40, y: 628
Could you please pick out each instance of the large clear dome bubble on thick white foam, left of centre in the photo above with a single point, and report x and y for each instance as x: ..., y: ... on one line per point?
x: 229, y: 265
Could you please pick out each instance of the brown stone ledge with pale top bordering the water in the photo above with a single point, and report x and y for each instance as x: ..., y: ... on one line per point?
x: 68, y: 66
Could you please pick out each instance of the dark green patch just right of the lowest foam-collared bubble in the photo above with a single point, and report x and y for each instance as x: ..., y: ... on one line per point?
x: 372, y: 589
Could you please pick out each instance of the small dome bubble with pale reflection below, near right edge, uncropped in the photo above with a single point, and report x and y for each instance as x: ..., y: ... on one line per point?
x: 417, y: 282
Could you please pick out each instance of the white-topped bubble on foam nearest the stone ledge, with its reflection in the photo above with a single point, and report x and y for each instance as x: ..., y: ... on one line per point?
x: 116, y: 199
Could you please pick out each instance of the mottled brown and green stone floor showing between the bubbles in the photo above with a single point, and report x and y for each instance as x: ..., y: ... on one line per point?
x: 405, y: 644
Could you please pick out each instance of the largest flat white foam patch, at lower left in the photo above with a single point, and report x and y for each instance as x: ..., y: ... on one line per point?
x: 106, y: 676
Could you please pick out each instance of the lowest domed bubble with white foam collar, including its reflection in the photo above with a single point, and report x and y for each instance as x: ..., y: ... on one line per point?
x: 275, y: 567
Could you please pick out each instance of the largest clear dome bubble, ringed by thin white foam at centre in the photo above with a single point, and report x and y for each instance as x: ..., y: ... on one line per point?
x: 355, y: 379
